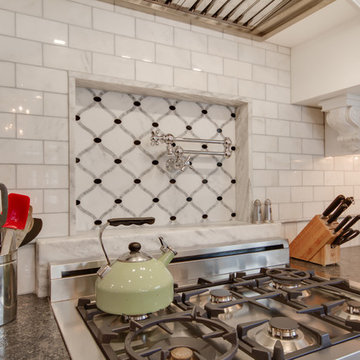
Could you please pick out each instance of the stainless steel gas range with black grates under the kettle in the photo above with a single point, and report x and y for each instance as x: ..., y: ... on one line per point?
x: 231, y: 302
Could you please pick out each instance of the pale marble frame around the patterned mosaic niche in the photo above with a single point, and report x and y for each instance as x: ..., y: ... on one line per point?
x: 77, y: 79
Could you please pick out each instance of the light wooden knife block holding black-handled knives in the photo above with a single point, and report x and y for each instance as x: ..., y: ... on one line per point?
x: 313, y: 243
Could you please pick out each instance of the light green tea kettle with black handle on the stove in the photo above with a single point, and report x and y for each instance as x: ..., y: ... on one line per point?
x: 135, y: 283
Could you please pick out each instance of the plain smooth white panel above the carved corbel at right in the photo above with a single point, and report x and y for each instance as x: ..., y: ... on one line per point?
x: 327, y: 63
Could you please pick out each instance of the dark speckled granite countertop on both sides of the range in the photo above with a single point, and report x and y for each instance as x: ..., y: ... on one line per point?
x: 34, y: 334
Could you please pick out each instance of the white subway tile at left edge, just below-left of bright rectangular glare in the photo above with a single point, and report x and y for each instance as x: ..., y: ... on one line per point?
x: 19, y: 50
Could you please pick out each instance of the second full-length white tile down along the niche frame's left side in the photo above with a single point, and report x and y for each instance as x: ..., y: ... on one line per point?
x: 42, y: 127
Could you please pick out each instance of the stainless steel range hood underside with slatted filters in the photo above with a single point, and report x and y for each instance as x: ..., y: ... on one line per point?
x: 257, y: 19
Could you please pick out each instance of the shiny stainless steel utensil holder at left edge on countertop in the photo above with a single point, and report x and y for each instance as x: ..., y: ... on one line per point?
x: 8, y: 287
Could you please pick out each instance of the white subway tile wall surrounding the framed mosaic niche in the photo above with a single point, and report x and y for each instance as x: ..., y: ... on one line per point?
x: 287, y: 140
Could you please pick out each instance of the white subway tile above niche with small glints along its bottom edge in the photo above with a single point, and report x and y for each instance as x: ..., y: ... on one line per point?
x: 134, y: 48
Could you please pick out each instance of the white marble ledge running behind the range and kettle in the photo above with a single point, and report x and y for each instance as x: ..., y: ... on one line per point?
x: 86, y: 246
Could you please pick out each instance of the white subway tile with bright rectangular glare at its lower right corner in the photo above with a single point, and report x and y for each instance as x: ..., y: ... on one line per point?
x: 34, y: 28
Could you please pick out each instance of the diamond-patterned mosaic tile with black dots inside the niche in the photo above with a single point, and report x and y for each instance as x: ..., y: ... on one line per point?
x: 118, y: 173
